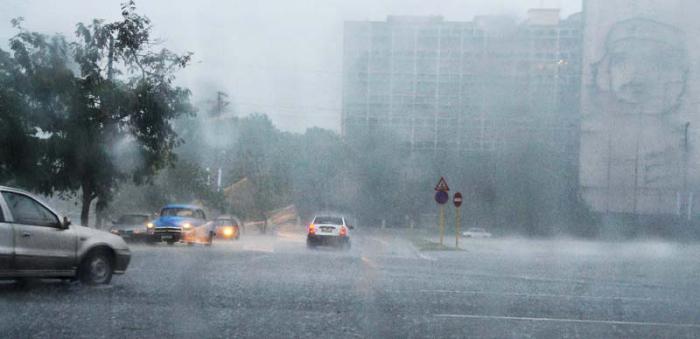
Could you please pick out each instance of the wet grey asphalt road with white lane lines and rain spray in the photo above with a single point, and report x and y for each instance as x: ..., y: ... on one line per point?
x: 272, y: 286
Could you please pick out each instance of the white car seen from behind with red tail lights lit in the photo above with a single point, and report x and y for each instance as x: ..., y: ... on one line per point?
x: 328, y: 230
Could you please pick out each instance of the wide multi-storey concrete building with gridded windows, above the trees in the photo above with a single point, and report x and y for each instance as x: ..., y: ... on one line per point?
x: 479, y: 86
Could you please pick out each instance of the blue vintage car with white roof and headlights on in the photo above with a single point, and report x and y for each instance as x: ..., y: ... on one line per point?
x: 181, y: 223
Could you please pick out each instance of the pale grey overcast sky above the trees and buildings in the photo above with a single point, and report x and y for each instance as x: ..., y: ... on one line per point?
x: 281, y: 57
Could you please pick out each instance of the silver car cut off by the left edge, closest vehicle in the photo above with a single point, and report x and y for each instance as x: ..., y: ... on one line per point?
x: 36, y: 242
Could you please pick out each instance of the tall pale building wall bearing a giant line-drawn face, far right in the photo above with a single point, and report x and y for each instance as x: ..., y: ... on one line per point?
x: 640, y: 120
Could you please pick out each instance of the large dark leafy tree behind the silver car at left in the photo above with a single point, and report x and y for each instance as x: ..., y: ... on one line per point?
x: 109, y: 121
